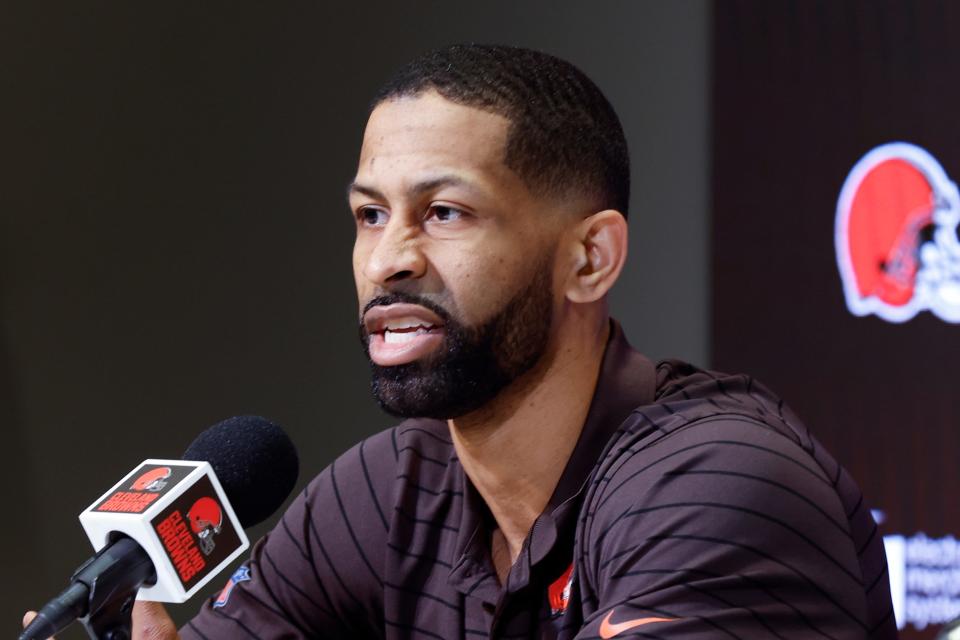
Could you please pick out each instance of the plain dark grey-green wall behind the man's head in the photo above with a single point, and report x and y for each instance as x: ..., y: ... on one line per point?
x: 175, y: 243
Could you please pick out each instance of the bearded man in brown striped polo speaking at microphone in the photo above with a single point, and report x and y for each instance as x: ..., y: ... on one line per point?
x: 548, y: 481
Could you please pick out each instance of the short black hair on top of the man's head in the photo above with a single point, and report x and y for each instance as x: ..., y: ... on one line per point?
x: 564, y: 137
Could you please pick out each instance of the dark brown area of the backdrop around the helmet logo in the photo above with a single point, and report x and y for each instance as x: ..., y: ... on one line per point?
x: 801, y: 91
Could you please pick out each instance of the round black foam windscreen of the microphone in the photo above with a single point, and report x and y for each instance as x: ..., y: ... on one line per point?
x: 254, y: 460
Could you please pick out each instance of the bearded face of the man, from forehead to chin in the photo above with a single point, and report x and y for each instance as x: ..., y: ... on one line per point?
x: 453, y: 258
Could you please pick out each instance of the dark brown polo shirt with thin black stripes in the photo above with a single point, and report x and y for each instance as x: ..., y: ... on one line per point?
x: 695, y: 505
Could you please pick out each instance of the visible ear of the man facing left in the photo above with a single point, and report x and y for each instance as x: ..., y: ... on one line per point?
x: 599, y: 245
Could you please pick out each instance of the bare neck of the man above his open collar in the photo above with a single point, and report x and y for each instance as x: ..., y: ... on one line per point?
x: 515, y: 449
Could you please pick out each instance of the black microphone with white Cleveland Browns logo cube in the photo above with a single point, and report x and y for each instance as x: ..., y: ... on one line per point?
x: 169, y: 526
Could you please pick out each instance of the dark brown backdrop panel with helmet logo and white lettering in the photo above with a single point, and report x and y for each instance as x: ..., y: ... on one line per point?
x: 835, y: 255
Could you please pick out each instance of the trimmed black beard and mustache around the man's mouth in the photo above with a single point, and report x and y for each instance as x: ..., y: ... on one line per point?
x: 474, y: 363
